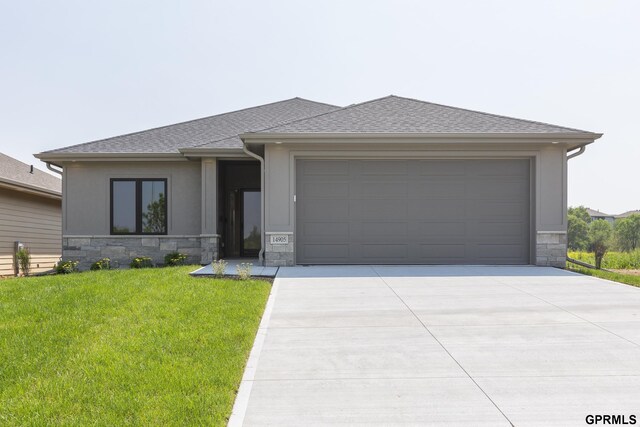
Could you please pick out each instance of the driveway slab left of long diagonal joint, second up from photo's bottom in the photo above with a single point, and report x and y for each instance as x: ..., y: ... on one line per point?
x: 332, y: 353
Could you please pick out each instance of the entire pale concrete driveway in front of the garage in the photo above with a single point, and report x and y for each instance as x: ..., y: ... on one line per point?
x: 442, y: 345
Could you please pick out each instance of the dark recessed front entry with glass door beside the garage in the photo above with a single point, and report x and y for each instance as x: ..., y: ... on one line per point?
x: 239, y: 209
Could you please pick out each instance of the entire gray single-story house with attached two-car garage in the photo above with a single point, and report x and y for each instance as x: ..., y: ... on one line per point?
x: 389, y: 181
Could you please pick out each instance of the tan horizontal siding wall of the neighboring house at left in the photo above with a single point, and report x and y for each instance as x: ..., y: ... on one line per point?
x: 34, y: 221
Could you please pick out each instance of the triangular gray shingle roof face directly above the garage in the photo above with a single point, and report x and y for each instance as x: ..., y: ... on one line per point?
x: 394, y: 114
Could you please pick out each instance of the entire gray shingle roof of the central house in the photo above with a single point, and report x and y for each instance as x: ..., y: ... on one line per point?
x: 389, y: 115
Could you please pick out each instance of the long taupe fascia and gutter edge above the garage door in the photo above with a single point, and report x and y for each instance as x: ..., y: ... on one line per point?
x: 570, y: 139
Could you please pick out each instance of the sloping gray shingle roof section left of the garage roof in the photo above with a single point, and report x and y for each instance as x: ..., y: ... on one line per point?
x: 222, y: 127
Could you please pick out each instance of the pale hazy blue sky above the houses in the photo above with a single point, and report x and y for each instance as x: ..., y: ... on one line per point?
x: 74, y: 71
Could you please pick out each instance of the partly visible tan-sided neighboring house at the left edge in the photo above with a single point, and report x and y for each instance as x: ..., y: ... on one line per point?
x: 30, y: 213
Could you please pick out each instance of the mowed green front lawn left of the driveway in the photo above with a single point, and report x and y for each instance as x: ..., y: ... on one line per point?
x: 141, y: 347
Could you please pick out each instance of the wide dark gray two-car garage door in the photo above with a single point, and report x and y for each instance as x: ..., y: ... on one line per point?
x: 412, y: 211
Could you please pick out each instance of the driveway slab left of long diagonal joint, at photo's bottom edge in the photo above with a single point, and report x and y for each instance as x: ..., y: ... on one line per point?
x: 430, y: 401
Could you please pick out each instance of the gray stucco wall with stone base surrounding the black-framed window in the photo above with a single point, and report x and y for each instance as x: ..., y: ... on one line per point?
x: 191, y: 212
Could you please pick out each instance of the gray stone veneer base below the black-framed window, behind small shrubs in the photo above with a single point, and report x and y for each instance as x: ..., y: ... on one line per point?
x: 122, y: 249
